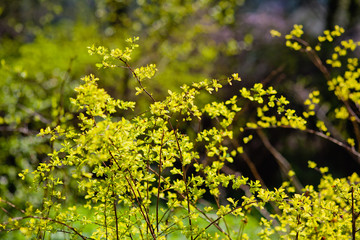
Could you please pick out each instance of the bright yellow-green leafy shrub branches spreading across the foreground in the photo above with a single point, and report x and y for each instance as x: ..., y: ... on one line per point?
x: 144, y: 177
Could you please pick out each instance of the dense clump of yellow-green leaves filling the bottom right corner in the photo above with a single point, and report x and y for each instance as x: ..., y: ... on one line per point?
x: 331, y: 212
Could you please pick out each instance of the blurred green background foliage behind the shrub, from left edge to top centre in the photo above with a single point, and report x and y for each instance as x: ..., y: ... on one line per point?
x: 43, y: 55
